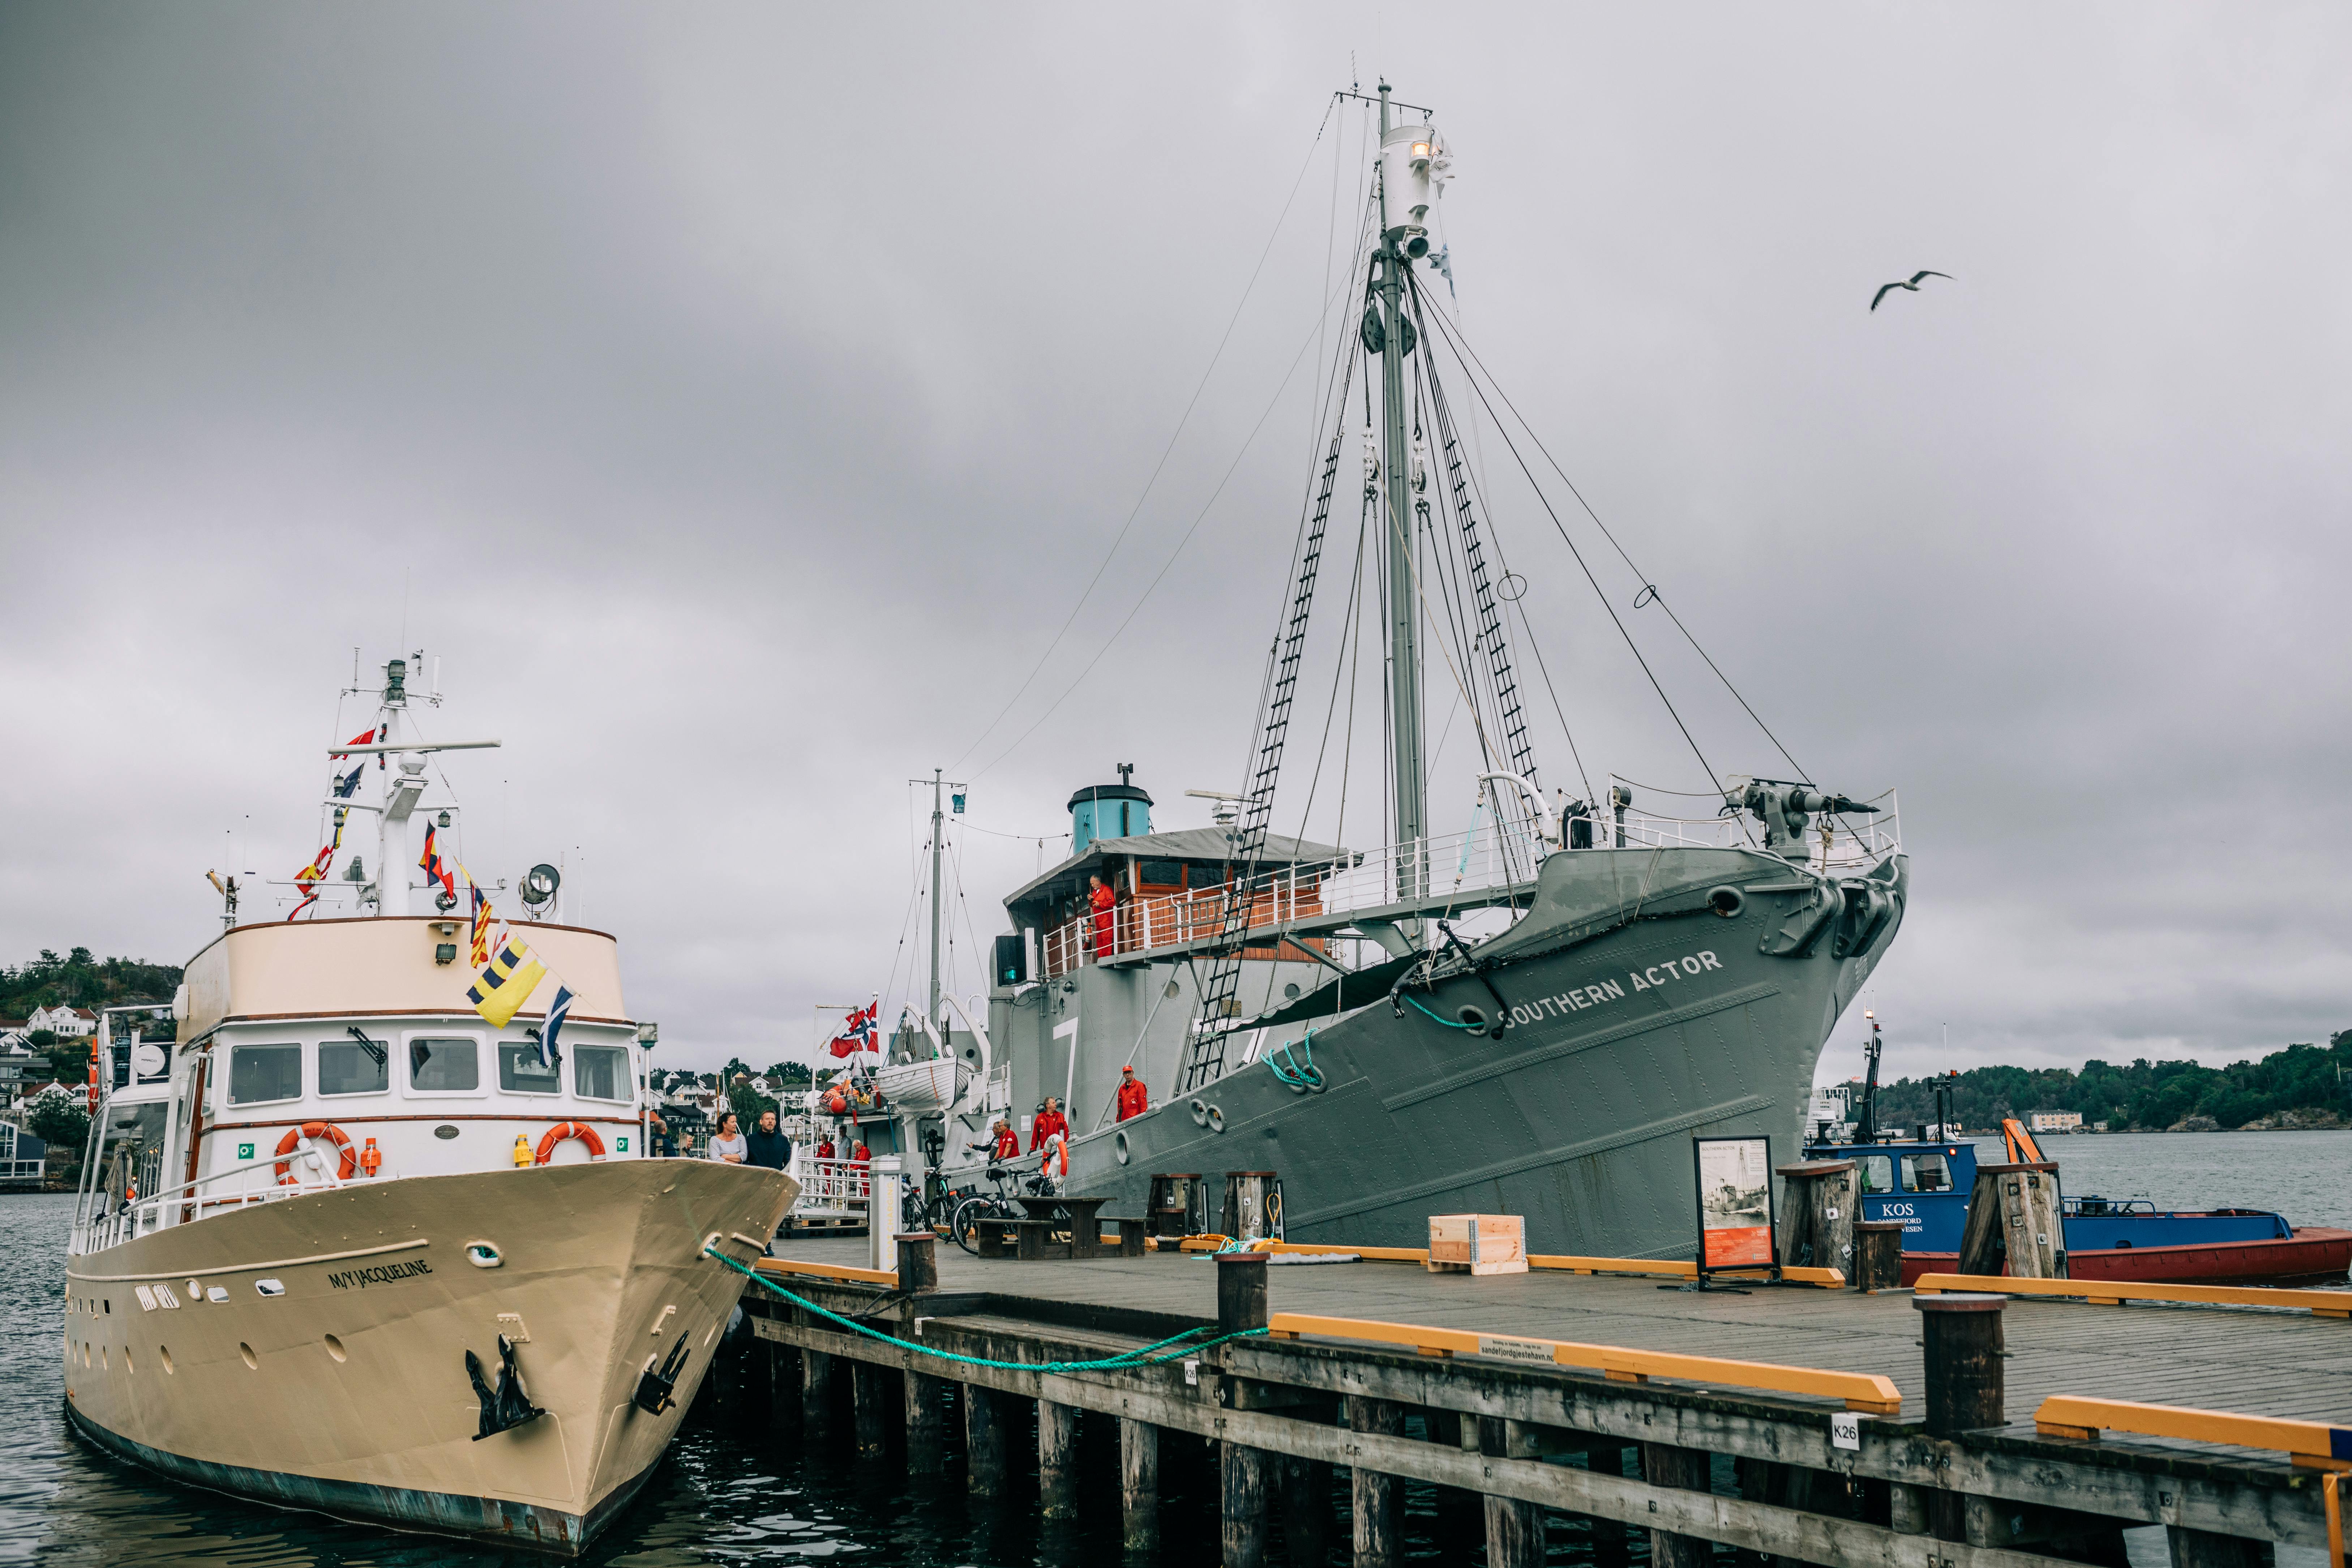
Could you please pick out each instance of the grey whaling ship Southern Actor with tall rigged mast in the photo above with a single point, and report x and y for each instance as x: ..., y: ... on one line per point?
x: 1553, y: 1003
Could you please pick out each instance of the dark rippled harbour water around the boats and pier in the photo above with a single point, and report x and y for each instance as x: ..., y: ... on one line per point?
x: 737, y: 1494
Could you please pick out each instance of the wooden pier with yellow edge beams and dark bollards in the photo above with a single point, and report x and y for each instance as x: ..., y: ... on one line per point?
x: 1812, y: 1426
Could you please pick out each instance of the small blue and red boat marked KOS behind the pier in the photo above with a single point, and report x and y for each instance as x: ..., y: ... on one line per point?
x: 1927, y: 1181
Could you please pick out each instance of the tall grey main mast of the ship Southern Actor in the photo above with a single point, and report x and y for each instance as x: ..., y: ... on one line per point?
x: 1403, y: 577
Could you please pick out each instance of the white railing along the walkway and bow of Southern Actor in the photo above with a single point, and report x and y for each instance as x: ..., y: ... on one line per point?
x: 1431, y: 873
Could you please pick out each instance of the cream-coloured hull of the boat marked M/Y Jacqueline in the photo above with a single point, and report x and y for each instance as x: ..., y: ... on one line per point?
x: 349, y: 1391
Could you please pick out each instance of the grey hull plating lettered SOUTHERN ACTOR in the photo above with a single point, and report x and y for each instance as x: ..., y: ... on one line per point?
x: 1641, y: 1017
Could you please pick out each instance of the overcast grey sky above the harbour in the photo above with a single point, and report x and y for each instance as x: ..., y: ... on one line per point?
x: 735, y: 401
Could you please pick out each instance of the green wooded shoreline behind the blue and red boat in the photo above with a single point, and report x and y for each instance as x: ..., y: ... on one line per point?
x: 2139, y: 1097
